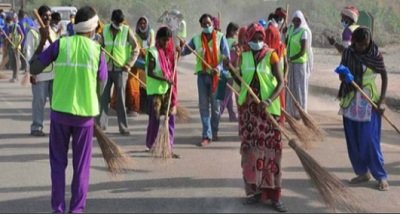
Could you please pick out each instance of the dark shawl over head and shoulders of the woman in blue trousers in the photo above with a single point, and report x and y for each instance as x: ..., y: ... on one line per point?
x: 372, y: 59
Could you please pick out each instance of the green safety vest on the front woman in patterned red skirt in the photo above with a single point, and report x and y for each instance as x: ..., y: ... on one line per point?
x: 267, y: 80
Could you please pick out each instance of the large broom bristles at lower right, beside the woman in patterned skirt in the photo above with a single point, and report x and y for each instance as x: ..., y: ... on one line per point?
x: 334, y: 193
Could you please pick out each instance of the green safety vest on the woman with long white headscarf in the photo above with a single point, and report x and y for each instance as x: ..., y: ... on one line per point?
x: 294, y: 45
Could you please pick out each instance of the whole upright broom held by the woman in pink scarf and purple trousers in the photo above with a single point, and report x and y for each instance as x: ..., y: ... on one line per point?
x: 162, y: 148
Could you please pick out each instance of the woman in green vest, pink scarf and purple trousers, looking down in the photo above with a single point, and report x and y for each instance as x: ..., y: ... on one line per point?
x: 160, y: 79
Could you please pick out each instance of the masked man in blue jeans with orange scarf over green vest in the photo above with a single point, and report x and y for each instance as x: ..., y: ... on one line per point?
x: 211, y: 45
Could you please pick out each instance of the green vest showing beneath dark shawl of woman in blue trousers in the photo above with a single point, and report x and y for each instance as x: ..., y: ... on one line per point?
x: 368, y: 82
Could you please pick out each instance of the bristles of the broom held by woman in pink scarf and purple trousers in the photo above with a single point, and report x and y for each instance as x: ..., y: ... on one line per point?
x: 161, y: 148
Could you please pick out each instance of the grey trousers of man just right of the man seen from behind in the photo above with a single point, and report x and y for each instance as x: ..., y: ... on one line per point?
x: 119, y: 79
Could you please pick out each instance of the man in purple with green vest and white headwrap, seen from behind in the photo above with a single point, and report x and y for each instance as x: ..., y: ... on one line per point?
x: 79, y: 65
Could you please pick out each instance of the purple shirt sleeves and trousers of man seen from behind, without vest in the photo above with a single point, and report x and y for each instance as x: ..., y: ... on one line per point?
x: 62, y: 127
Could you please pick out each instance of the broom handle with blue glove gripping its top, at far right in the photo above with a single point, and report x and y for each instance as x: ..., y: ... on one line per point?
x: 343, y: 70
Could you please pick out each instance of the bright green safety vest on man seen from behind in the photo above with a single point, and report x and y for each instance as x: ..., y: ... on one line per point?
x: 75, y: 77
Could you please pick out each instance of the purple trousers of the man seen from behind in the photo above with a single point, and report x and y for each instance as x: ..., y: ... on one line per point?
x: 81, y: 157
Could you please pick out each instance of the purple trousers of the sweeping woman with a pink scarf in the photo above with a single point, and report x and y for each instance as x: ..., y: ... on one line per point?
x: 153, y: 126
